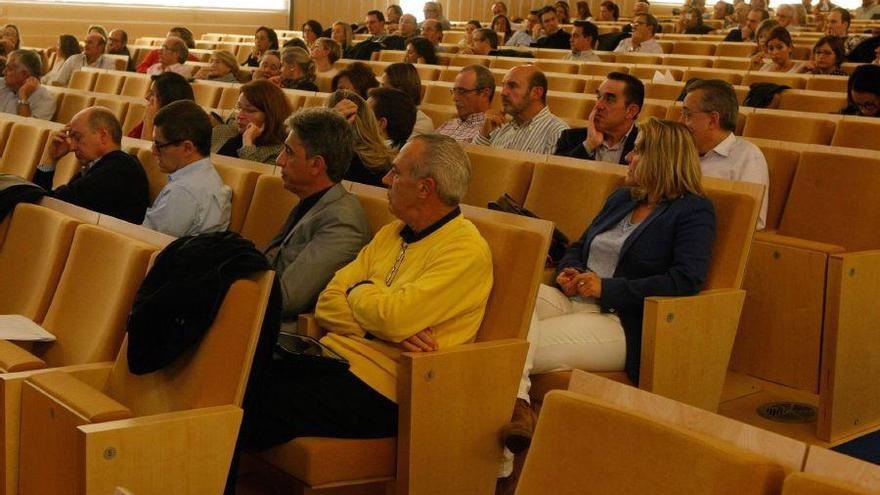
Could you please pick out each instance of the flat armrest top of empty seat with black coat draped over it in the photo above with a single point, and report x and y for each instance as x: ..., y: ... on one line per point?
x: 86, y: 401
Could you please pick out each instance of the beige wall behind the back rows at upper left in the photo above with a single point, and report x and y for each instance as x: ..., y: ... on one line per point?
x: 40, y: 24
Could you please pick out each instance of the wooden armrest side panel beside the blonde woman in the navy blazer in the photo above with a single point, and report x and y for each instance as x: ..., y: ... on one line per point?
x: 686, y: 345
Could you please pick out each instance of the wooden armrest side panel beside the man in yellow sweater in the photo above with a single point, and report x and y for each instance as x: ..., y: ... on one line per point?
x: 452, y: 405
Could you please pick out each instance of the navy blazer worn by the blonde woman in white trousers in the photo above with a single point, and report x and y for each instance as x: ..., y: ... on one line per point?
x: 666, y: 255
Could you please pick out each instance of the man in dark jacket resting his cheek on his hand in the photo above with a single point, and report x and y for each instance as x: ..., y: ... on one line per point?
x: 611, y: 131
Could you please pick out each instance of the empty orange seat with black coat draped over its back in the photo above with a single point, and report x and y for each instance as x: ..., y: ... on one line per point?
x: 162, y: 431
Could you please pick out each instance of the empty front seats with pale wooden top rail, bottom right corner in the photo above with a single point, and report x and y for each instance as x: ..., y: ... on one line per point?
x: 671, y: 448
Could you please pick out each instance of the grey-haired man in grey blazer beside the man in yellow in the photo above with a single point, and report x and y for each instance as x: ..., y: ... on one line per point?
x: 328, y: 227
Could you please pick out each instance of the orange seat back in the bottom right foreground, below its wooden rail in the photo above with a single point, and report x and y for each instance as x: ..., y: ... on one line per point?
x: 584, y: 442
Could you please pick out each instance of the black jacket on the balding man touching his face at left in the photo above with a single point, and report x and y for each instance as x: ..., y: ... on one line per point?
x: 115, y: 185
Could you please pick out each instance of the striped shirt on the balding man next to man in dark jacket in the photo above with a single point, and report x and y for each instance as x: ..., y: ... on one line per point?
x: 538, y: 135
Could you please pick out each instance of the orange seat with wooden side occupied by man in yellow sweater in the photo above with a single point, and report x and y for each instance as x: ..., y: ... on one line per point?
x: 447, y: 439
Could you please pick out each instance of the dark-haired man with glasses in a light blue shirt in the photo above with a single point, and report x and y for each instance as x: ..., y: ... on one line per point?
x: 195, y: 200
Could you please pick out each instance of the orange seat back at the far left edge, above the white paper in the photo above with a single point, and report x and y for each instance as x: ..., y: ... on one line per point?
x: 32, y: 257
